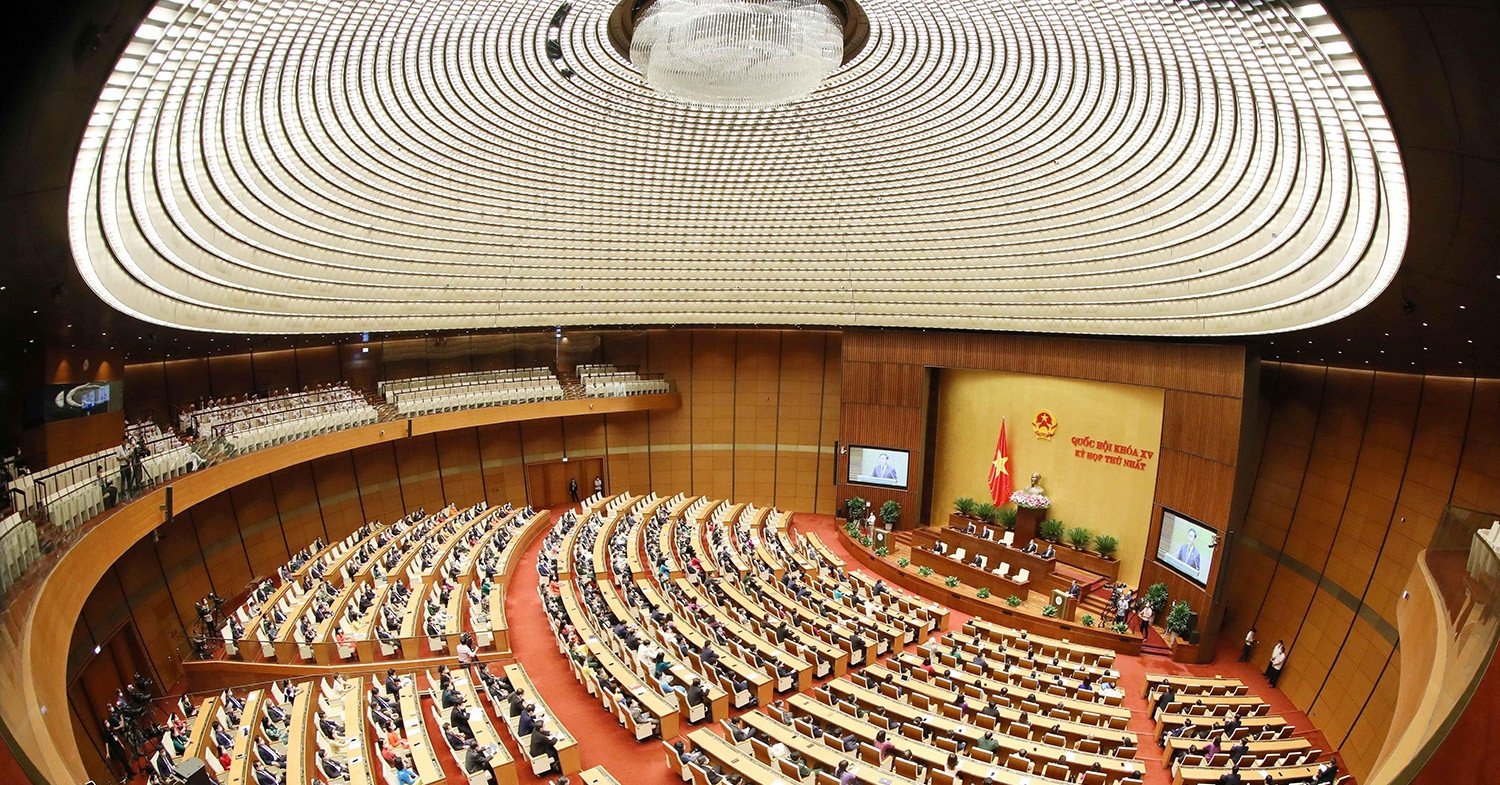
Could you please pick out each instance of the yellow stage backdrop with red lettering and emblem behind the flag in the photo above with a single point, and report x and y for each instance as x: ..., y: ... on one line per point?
x: 1099, y: 465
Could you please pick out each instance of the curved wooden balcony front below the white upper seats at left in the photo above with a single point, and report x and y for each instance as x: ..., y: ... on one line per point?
x: 37, y: 717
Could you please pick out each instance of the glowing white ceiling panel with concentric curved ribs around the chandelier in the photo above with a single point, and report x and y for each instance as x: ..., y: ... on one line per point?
x: 1085, y: 166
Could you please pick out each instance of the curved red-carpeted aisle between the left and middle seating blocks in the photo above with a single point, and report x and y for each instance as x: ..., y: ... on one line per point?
x: 601, y: 739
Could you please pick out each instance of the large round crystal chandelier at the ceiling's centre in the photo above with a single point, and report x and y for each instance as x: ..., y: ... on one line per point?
x: 737, y: 53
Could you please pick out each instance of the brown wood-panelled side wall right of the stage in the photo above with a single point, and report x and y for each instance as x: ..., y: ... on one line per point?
x: 1391, y: 453
